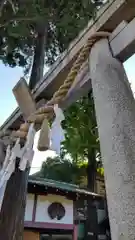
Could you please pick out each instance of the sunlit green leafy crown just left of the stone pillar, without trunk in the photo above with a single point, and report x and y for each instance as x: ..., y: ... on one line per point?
x: 81, y: 133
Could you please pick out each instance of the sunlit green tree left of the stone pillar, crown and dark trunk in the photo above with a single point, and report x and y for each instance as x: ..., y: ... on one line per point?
x: 81, y: 136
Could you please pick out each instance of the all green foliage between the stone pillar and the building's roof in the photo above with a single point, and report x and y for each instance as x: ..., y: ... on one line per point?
x: 81, y: 140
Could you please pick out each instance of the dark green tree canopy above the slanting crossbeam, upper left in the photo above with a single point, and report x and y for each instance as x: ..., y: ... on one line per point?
x: 20, y: 21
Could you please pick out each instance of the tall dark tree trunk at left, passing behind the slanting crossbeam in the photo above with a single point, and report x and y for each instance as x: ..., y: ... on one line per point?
x: 13, y: 207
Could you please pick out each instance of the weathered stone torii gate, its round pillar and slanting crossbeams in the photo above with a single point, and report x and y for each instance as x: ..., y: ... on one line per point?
x: 115, y: 108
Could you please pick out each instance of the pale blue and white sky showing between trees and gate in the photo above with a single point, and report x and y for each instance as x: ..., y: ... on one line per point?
x: 10, y: 76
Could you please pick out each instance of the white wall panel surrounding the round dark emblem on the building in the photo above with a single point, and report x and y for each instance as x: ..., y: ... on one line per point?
x: 43, y: 203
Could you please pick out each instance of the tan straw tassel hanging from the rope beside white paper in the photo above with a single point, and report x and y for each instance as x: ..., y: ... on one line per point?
x: 44, y: 137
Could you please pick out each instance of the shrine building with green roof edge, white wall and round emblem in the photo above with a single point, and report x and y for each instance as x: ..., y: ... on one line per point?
x: 57, y: 210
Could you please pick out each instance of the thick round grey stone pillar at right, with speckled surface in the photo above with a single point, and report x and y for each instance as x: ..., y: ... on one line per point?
x: 115, y: 110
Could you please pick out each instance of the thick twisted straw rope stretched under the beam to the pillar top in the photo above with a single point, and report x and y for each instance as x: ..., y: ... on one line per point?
x: 47, y: 110
